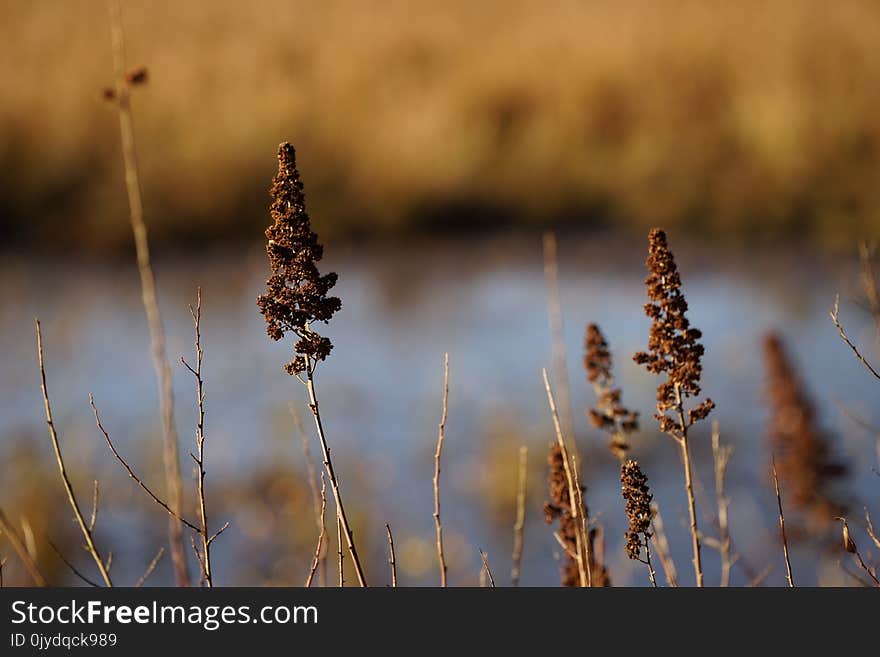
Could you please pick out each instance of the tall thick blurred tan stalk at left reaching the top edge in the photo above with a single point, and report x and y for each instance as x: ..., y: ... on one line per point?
x: 173, y: 480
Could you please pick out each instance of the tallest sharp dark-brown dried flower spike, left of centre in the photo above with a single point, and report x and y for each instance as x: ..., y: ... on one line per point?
x: 296, y: 293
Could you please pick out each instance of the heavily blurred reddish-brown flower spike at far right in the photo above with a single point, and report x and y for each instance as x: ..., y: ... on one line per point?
x: 803, y: 455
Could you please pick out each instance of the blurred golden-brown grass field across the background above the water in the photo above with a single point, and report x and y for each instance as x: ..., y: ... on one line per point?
x: 734, y: 118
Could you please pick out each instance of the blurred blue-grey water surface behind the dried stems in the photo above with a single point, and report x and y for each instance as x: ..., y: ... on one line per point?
x: 485, y: 303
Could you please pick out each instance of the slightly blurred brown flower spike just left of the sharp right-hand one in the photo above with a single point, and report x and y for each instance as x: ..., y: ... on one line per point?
x: 610, y: 414
